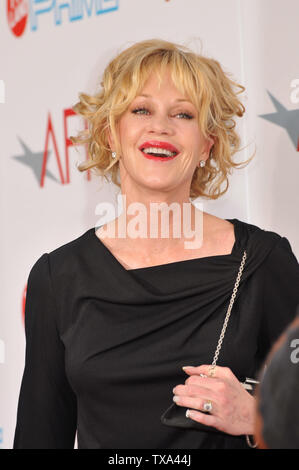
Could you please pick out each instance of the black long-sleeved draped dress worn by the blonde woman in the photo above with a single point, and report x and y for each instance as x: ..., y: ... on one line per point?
x: 105, y: 346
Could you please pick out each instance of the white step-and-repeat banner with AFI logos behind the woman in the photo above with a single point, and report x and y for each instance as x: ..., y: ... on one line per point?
x: 53, y: 49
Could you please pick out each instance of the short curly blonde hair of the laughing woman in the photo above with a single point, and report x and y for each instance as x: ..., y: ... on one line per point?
x: 202, y: 79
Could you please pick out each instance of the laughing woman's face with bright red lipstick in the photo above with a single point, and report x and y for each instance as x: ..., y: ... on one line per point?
x: 161, y: 143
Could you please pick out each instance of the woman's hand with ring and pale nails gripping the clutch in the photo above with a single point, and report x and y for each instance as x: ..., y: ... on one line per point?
x: 233, y: 408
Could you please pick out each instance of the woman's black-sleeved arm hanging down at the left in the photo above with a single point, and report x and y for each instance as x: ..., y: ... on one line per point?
x: 47, y: 410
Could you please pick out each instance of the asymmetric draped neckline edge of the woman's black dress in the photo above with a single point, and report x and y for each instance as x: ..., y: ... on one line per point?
x: 174, y: 263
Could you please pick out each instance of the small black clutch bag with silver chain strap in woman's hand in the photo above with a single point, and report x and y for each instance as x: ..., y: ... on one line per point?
x: 176, y: 415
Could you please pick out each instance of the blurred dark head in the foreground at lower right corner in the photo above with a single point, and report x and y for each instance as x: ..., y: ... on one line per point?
x: 277, y: 424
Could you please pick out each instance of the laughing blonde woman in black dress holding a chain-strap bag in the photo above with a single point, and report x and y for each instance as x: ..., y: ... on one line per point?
x: 112, y: 319
